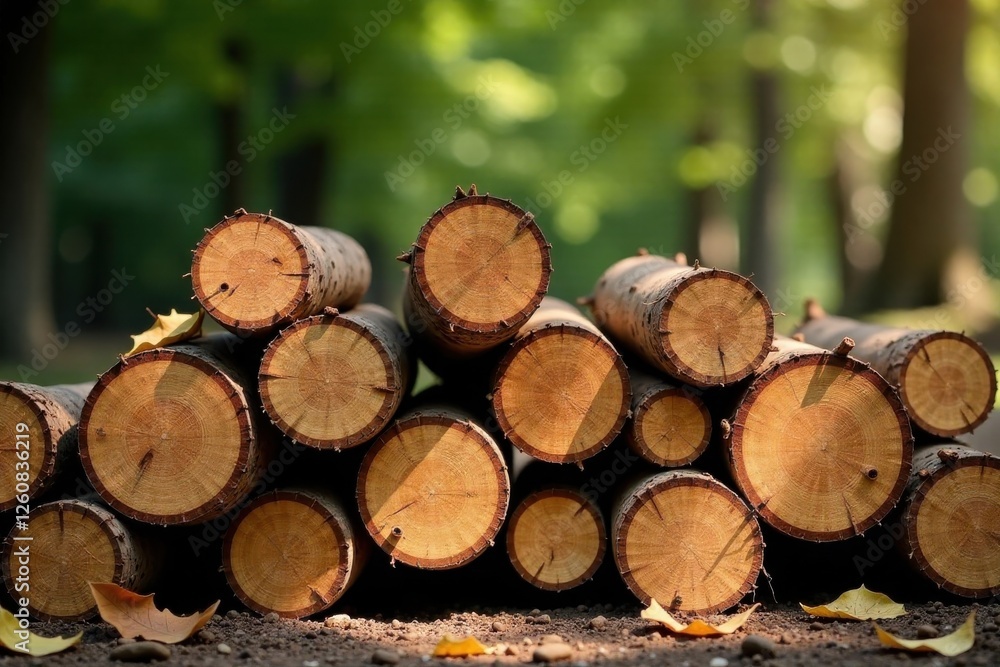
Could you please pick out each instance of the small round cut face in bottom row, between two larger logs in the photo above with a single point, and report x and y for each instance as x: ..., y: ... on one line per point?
x: 556, y: 539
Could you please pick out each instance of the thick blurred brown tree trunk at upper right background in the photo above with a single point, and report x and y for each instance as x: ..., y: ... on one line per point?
x: 930, y: 219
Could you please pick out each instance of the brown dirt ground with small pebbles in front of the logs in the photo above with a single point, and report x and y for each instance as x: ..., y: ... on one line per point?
x: 622, y: 639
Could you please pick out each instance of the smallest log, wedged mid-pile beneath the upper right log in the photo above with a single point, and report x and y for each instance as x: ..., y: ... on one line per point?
x: 671, y: 425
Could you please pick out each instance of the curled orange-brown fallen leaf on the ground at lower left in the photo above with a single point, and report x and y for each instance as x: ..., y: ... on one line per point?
x: 135, y: 615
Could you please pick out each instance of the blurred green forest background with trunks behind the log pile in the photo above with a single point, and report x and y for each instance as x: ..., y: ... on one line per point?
x: 843, y: 149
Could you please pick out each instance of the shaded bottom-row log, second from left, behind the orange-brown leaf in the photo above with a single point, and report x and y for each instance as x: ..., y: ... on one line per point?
x: 292, y: 552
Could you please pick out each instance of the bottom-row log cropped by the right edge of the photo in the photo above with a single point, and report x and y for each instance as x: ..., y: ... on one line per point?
x: 951, y: 517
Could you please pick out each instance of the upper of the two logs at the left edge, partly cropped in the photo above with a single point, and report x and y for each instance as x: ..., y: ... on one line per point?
x: 40, y: 425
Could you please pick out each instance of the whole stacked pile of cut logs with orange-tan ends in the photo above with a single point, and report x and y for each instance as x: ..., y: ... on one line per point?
x: 664, y: 437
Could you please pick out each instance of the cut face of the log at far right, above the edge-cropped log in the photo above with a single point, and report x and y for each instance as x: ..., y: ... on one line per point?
x: 948, y: 384
